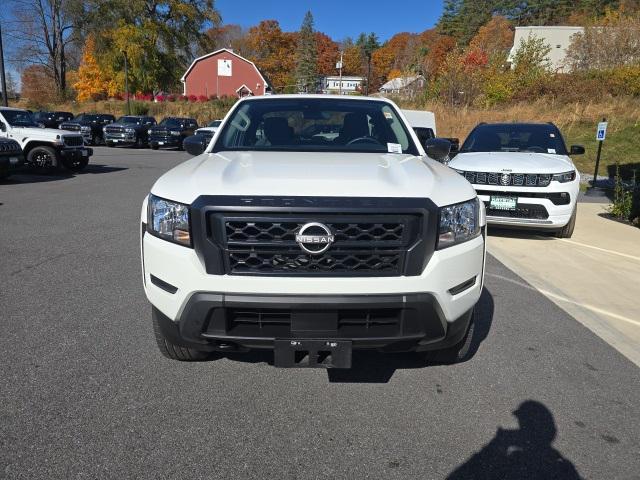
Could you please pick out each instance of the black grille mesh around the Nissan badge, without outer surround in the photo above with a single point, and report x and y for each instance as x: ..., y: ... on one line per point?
x: 373, y: 245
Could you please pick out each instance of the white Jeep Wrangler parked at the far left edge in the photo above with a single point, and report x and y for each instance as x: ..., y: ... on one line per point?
x: 43, y: 148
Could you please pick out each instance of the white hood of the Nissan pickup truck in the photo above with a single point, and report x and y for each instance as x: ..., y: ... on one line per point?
x: 313, y: 174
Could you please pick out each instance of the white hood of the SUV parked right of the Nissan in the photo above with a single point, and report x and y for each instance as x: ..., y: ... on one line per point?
x: 515, y: 162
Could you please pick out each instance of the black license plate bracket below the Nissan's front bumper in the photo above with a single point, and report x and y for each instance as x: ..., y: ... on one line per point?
x: 312, y: 354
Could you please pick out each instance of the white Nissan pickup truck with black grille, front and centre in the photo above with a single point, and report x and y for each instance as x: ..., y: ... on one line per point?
x: 278, y: 237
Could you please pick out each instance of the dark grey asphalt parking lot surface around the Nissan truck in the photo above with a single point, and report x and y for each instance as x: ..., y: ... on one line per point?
x: 84, y: 392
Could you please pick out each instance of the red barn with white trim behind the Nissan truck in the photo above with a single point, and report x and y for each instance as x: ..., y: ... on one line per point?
x: 224, y: 73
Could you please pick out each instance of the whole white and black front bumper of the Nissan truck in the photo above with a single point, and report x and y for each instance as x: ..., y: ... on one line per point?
x: 426, y: 311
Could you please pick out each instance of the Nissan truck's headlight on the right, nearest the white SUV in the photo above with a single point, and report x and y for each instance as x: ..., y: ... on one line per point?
x: 459, y: 223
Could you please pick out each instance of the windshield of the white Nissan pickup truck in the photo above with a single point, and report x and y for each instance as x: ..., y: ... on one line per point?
x: 312, y: 124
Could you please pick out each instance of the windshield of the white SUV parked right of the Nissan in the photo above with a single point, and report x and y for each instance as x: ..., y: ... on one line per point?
x: 535, y: 138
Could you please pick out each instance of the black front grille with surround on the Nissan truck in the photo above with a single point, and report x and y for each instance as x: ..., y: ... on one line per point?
x: 371, y: 236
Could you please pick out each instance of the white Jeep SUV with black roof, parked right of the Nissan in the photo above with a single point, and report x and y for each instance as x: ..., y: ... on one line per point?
x: 523, y: 174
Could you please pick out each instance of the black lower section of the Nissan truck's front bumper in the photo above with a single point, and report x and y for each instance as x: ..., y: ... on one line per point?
x: 230, y: 322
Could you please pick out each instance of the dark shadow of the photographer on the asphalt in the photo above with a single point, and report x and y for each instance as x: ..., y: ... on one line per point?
x: 523, y: 453
